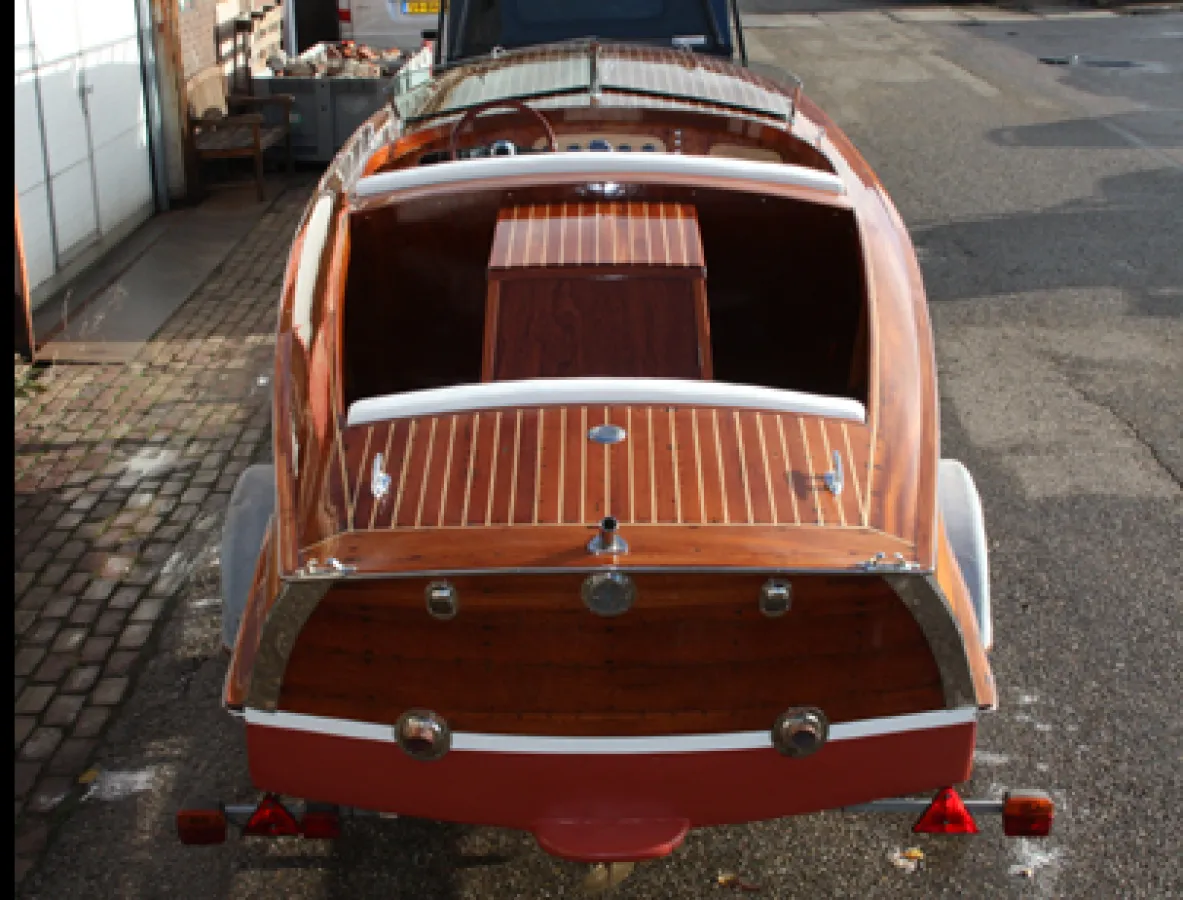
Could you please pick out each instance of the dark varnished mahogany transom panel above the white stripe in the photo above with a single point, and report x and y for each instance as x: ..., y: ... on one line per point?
x: 523, y: 656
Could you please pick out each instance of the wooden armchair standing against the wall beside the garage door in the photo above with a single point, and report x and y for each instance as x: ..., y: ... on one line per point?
x: 216, y: 134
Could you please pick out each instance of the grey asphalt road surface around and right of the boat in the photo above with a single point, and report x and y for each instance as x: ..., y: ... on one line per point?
x: 1046, y: 203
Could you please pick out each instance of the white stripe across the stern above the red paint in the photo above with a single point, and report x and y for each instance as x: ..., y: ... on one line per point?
x: 470, y: 741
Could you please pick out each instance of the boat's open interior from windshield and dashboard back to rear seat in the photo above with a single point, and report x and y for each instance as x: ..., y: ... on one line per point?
x: 497, y: 241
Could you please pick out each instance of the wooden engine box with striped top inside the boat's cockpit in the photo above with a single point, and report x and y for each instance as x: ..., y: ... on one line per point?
x: 615, y: 290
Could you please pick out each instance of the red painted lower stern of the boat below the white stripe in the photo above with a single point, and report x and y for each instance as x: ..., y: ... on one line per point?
x: 607, y: 807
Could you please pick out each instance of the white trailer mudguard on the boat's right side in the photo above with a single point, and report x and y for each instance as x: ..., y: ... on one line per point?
x: 966, y: 528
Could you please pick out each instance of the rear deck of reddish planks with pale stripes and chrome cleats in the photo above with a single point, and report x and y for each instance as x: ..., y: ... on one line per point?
x: 536, y: 468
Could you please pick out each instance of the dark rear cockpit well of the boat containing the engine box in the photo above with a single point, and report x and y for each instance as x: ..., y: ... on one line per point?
x: 602, y: 279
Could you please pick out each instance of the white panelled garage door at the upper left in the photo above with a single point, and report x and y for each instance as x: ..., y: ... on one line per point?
x: 82, y: 156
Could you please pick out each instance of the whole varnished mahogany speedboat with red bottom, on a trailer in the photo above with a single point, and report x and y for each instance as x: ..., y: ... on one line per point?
x: 607, y: 500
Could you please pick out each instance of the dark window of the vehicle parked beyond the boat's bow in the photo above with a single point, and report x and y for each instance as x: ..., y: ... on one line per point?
x: 480, y: 25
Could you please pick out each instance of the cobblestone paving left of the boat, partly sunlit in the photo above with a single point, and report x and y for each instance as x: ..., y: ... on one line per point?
x: 122, y: 474
